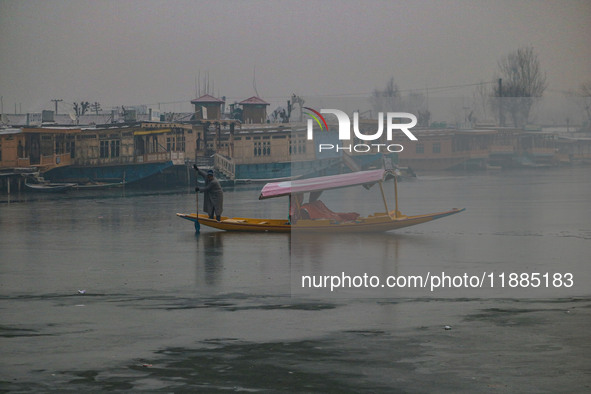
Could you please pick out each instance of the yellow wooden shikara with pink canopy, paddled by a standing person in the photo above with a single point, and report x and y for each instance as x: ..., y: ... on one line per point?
x: 314, y: 216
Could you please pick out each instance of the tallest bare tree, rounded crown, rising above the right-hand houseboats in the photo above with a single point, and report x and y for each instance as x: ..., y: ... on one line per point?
x: 523, y: 83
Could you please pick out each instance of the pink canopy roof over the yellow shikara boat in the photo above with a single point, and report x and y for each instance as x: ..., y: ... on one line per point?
x: 278, y: 189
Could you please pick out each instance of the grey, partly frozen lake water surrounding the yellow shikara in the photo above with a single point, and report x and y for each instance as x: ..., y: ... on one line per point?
x: 109, y: 290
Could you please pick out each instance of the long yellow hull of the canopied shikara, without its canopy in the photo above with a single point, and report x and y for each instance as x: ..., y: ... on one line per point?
x: 378, y: 222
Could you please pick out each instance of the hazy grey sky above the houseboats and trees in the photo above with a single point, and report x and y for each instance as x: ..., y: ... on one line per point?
x: 146, y: 52
